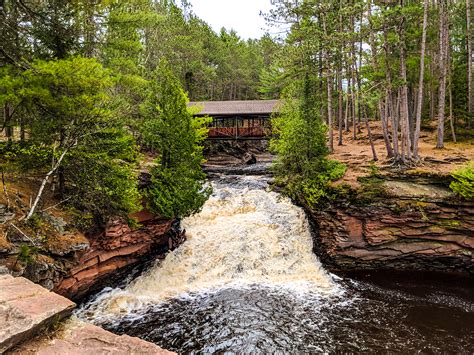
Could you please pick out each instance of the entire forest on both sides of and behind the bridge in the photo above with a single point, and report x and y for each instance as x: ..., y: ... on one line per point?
x: 87, y: 87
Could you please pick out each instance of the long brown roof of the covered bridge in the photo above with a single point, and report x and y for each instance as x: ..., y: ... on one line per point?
x: 248, y: 107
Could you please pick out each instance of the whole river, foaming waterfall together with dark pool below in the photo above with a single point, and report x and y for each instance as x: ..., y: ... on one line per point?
x: 247, y: 281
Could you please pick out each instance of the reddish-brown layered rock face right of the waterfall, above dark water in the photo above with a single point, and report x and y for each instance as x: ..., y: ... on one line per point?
x: 398, y: 233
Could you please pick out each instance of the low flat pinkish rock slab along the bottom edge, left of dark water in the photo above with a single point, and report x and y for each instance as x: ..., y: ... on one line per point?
x: 90, y: 340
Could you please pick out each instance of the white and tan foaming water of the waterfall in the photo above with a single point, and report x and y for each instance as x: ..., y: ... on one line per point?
x: 244, y: 235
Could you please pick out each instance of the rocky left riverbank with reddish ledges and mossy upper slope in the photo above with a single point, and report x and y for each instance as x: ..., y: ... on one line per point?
x: 51, y: 251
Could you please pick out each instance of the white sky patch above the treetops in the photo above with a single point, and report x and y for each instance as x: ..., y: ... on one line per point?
x: 240, y: 15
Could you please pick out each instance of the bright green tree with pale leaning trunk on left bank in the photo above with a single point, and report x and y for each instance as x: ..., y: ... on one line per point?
x: 74, y: 124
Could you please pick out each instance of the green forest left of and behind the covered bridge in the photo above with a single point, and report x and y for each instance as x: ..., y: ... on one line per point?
x: 87, y: 86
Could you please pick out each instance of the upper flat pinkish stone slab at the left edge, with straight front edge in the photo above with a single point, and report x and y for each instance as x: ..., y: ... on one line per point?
x: 26, y: 308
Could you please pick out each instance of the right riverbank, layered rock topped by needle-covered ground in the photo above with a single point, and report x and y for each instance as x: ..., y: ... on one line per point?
x: 392, y: 217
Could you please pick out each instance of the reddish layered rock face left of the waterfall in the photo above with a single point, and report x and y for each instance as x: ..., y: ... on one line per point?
x: 116, y: 249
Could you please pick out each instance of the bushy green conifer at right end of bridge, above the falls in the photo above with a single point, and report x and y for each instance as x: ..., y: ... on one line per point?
x: 300, y: 142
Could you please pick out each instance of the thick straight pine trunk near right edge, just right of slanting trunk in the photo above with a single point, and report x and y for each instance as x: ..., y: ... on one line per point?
x: 443, y: 41
